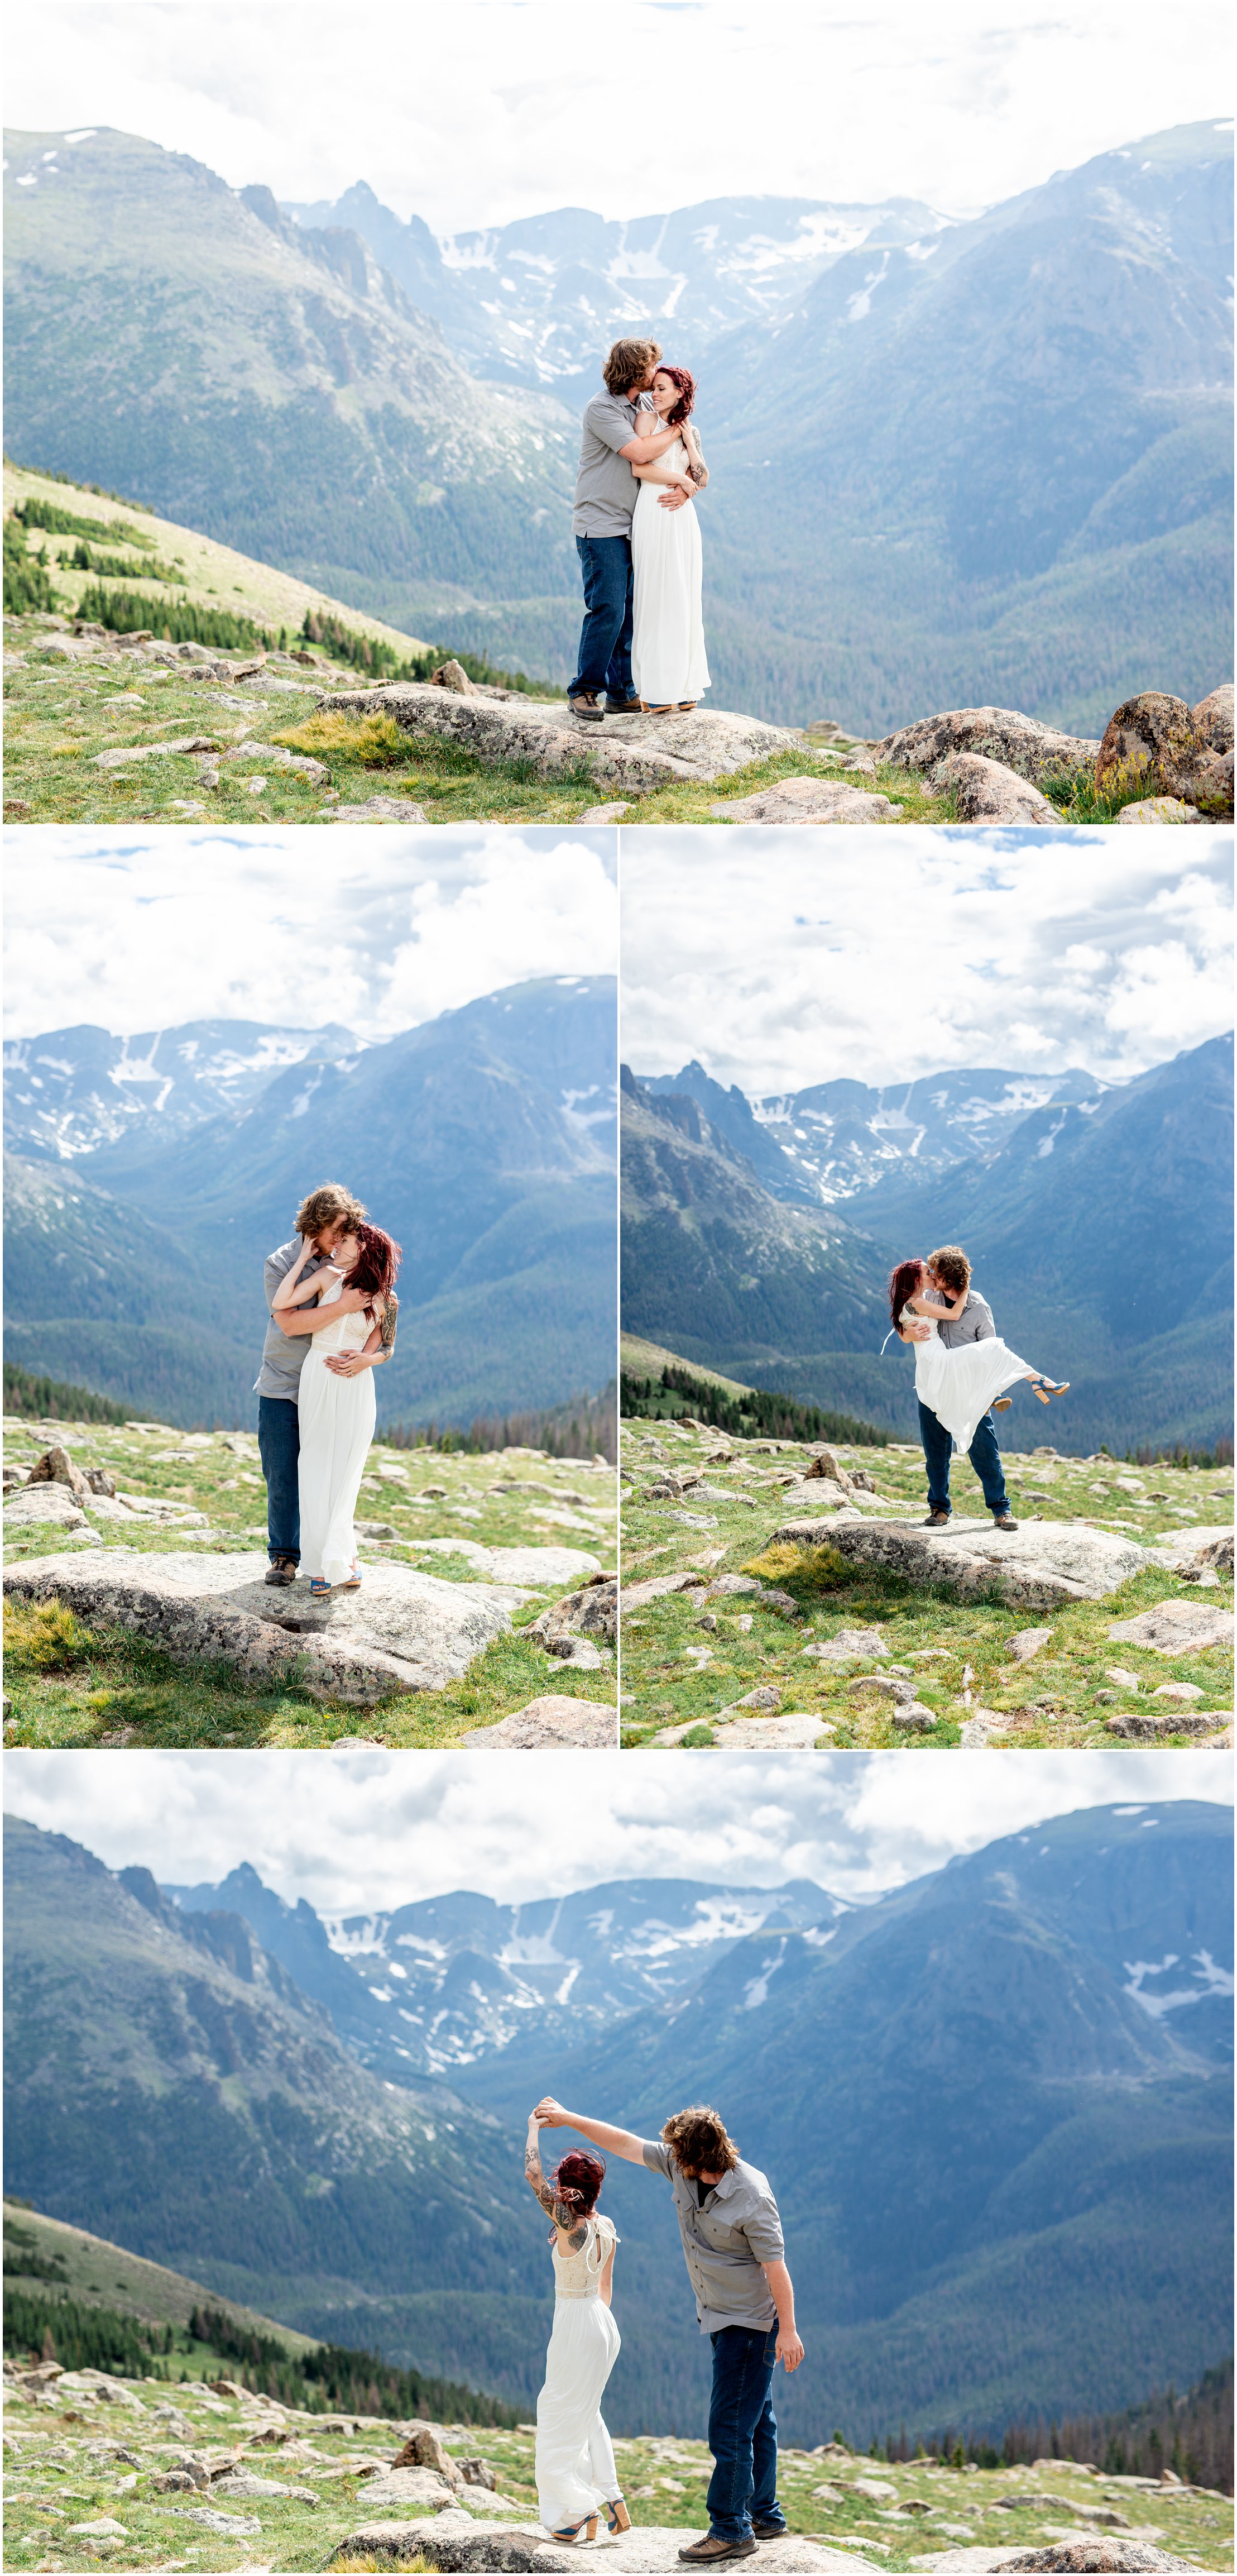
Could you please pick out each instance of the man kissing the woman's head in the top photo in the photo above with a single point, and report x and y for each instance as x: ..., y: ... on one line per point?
x: 604, y: 501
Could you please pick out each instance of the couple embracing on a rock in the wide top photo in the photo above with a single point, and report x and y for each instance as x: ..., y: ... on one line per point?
x: 638, y: 542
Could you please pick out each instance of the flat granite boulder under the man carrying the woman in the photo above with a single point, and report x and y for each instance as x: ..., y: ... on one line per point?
x: 1035, y: 1567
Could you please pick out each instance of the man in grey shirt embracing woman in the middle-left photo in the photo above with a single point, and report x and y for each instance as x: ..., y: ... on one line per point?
x: 323, y: 1220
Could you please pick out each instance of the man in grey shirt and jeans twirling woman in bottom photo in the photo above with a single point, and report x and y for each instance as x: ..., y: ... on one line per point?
x: 743, y: 2302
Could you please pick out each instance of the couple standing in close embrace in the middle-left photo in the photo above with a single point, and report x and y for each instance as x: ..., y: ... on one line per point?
x: 331, y: 1325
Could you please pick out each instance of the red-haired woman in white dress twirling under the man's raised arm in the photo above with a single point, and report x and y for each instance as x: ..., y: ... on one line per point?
x: 576, y: 2474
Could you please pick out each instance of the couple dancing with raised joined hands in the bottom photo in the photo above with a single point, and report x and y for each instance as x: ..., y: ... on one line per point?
x: 733, y: 2248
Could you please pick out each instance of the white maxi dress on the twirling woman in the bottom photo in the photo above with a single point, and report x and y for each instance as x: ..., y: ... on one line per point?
x: 576, y: 2469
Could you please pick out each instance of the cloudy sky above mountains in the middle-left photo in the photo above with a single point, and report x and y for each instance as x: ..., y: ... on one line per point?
x: 300, y: 929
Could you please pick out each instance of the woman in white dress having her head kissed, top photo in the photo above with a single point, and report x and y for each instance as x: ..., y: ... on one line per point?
x: 669, y: 661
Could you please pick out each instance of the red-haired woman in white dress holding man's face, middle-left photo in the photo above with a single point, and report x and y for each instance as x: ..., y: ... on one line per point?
x: 336, y: 1395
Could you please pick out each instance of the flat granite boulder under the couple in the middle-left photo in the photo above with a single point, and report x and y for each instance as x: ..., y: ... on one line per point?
x: 401, y: 1632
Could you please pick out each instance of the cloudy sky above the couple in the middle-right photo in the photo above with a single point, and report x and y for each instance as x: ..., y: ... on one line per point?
x: 798, y: 957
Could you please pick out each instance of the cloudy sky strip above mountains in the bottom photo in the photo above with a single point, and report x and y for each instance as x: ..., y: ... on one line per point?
x: 360, y: 1830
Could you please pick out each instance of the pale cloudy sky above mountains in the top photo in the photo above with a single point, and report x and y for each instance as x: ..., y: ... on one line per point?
x: 496, y: 109
